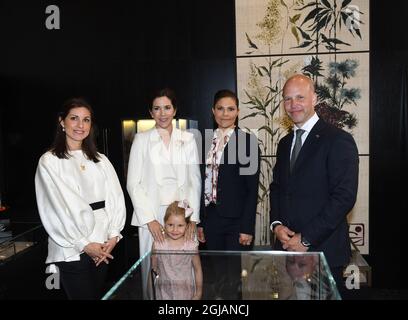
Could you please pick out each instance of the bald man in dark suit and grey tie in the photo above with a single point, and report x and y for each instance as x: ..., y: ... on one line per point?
x: 315, y: 181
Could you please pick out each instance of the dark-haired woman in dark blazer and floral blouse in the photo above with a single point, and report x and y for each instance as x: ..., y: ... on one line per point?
x: 230, y: 184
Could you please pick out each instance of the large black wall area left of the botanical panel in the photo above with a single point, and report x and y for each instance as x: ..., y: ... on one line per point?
x: 113, y: 54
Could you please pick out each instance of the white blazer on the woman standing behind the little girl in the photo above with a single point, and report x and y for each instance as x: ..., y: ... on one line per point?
x: 145, y: 173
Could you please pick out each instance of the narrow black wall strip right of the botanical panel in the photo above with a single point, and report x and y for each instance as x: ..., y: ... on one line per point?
x: 388, y: 199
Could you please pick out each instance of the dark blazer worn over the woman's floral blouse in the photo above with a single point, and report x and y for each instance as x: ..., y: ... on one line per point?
x: 237, y: 192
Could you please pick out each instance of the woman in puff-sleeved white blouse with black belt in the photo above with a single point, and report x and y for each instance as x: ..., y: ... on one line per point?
x: 80, y: 202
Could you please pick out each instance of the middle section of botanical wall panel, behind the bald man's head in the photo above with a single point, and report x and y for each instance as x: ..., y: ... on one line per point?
x: 346, y: 103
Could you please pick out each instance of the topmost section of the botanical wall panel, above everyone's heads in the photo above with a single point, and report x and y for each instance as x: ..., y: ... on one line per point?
x: 289, y: 26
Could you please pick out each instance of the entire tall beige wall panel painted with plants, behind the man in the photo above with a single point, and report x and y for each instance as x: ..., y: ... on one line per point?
x: 324, y: 39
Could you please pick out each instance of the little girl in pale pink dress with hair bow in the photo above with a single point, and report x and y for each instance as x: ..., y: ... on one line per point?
x: 175, y: 261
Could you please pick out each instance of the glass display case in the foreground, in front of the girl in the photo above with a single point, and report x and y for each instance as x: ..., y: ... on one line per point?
x: 228, y: 275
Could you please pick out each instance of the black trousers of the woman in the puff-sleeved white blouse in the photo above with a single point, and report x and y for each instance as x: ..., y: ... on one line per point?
x: 83, y: 280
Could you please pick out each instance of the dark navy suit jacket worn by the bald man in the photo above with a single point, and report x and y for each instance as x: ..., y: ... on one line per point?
x: 316, y: 197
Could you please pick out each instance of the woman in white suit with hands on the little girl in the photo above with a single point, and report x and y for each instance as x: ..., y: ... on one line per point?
x: 163, y: 168
